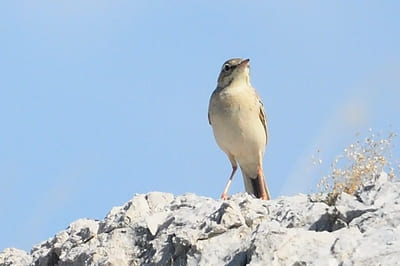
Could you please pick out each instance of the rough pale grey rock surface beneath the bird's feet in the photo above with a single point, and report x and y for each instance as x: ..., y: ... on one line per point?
x: 161, y: 229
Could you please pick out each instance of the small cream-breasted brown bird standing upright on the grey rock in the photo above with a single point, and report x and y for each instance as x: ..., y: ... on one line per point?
x: 238, y: 120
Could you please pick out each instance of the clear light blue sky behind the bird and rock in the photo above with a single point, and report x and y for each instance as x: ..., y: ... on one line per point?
x: 100, y: 100
